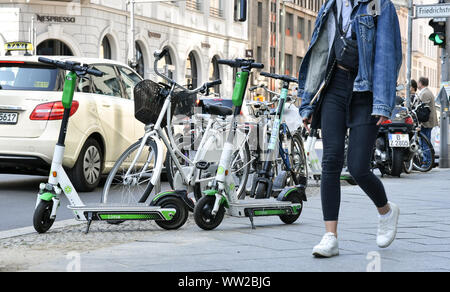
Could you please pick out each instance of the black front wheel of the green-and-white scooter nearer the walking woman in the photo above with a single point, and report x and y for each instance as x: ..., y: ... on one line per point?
x: 202, y: 213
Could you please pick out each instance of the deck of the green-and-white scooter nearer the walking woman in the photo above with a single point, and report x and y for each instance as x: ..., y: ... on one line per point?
x: 263, y: 207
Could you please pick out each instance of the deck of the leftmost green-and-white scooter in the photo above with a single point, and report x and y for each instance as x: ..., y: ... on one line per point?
x: 108, y: 212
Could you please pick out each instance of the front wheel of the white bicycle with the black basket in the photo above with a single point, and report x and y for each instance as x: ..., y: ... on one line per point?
x: 127, y: 189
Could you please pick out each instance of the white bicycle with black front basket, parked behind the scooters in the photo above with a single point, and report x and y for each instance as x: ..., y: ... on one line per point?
x: 137, y: 172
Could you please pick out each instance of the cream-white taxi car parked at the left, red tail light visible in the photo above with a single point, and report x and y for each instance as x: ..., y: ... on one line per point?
x: 101, y: 128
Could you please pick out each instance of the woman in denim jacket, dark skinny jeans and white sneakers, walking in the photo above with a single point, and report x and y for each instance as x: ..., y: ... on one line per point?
x: 348, y: 81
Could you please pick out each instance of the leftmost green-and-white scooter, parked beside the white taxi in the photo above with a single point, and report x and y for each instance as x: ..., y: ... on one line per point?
x: 167, y: 209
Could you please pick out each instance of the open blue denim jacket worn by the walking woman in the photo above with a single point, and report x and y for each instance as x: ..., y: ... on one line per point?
x: 380, y: 55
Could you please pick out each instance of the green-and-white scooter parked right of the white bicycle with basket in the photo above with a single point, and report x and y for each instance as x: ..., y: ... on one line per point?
x: 222, y: 198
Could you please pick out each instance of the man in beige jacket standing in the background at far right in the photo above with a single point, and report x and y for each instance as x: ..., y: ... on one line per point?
x: 427, y: 97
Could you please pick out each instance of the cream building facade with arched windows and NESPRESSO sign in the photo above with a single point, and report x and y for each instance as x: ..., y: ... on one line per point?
x: 196, y: 32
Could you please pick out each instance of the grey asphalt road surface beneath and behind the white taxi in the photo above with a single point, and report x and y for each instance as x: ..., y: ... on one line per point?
x: 18, y: 197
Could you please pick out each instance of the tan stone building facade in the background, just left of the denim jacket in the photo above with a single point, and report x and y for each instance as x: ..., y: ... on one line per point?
x: 265, y: 33
